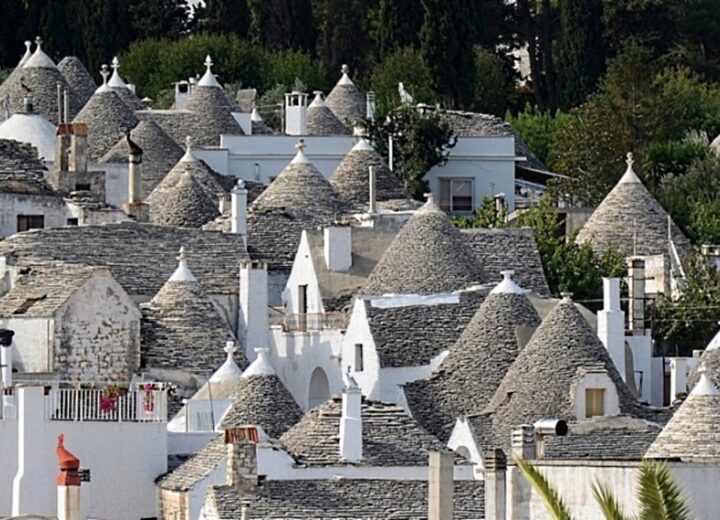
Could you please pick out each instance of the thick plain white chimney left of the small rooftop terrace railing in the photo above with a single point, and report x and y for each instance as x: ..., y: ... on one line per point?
x: 253, y: 325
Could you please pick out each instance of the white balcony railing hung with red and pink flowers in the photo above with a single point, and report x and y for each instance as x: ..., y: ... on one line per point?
x: 142, y: 402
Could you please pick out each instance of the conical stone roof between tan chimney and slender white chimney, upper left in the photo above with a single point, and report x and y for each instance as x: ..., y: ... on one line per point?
x: 187, y: 196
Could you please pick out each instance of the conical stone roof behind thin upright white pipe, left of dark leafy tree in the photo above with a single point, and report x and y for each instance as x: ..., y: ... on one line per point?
x: 351, y: 178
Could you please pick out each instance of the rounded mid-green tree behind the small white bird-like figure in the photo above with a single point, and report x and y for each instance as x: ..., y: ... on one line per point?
x: 404, y: 65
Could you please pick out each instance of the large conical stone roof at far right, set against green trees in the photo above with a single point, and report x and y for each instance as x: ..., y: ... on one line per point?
x: 631, y: 220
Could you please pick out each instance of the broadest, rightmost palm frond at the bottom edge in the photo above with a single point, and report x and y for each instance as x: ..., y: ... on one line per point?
x: 660, y: 496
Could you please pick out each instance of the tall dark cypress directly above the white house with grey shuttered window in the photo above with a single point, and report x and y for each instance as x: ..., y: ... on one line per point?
x: 445, y: 35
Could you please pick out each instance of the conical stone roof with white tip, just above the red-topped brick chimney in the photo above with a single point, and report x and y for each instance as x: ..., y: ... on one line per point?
x: 261, y: 398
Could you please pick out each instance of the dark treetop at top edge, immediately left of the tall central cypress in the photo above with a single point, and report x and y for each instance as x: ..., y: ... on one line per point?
x: 396, y: 25
